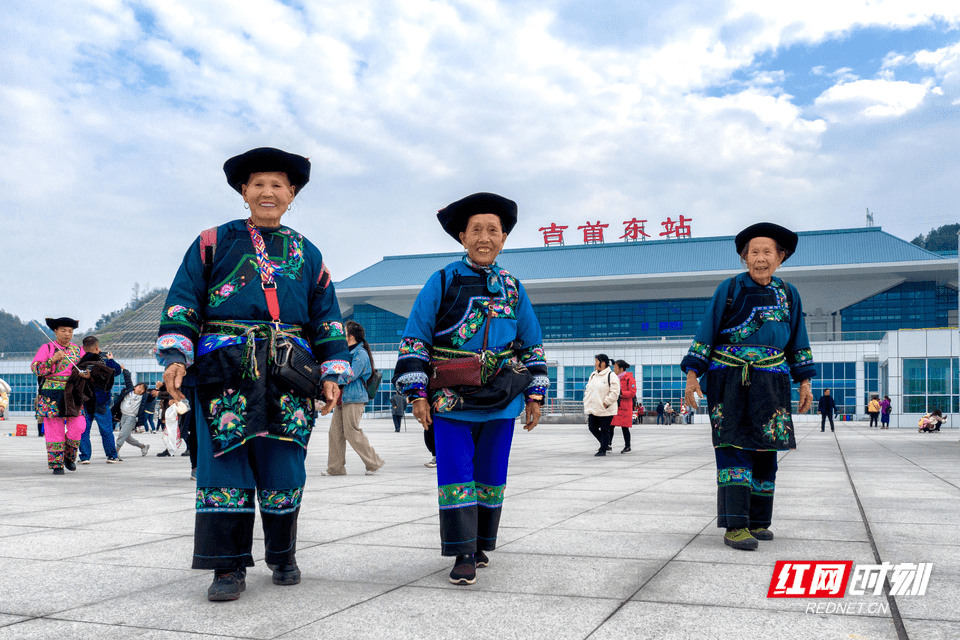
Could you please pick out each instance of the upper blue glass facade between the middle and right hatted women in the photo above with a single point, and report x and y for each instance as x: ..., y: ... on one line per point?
x: 636, y: 319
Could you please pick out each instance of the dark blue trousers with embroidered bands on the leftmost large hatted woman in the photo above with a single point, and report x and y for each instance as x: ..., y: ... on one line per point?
x: 271, y: 469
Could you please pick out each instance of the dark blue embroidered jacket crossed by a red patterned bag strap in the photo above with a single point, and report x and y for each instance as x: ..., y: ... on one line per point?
x: 233, y: 296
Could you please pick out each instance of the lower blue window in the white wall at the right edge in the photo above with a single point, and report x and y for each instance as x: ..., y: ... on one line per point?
x: 931, y: 383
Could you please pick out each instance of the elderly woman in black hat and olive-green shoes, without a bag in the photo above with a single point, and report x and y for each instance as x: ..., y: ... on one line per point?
x: 751, y: 342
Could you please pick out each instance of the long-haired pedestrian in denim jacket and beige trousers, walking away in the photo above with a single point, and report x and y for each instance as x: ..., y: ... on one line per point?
x: 345, y: 425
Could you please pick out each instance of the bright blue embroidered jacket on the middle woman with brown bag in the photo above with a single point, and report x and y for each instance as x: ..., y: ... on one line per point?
x: 451, y: 313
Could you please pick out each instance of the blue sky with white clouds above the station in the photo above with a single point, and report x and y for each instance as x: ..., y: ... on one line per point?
x: 117, y: 117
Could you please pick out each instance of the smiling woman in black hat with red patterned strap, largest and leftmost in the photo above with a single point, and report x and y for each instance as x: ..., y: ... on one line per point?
x: 243, y: 286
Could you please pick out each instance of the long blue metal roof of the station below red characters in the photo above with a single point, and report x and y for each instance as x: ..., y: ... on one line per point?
x: 815, y: 248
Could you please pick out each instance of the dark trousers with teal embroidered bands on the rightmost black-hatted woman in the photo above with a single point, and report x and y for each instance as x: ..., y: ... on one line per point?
x: 745, y: 485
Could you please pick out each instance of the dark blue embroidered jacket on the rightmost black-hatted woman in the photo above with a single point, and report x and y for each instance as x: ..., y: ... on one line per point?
x: 770, y: 316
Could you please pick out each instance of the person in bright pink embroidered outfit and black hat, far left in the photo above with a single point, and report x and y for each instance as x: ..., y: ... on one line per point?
x: 55, y: 362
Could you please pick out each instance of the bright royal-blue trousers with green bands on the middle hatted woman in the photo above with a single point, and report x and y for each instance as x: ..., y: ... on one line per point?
x: 472, y: 462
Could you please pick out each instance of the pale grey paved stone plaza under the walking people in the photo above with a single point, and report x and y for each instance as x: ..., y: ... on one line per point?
x: 603, y: 548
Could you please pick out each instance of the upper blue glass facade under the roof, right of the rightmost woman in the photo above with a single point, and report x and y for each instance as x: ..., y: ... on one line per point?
x: 910, y: 305
